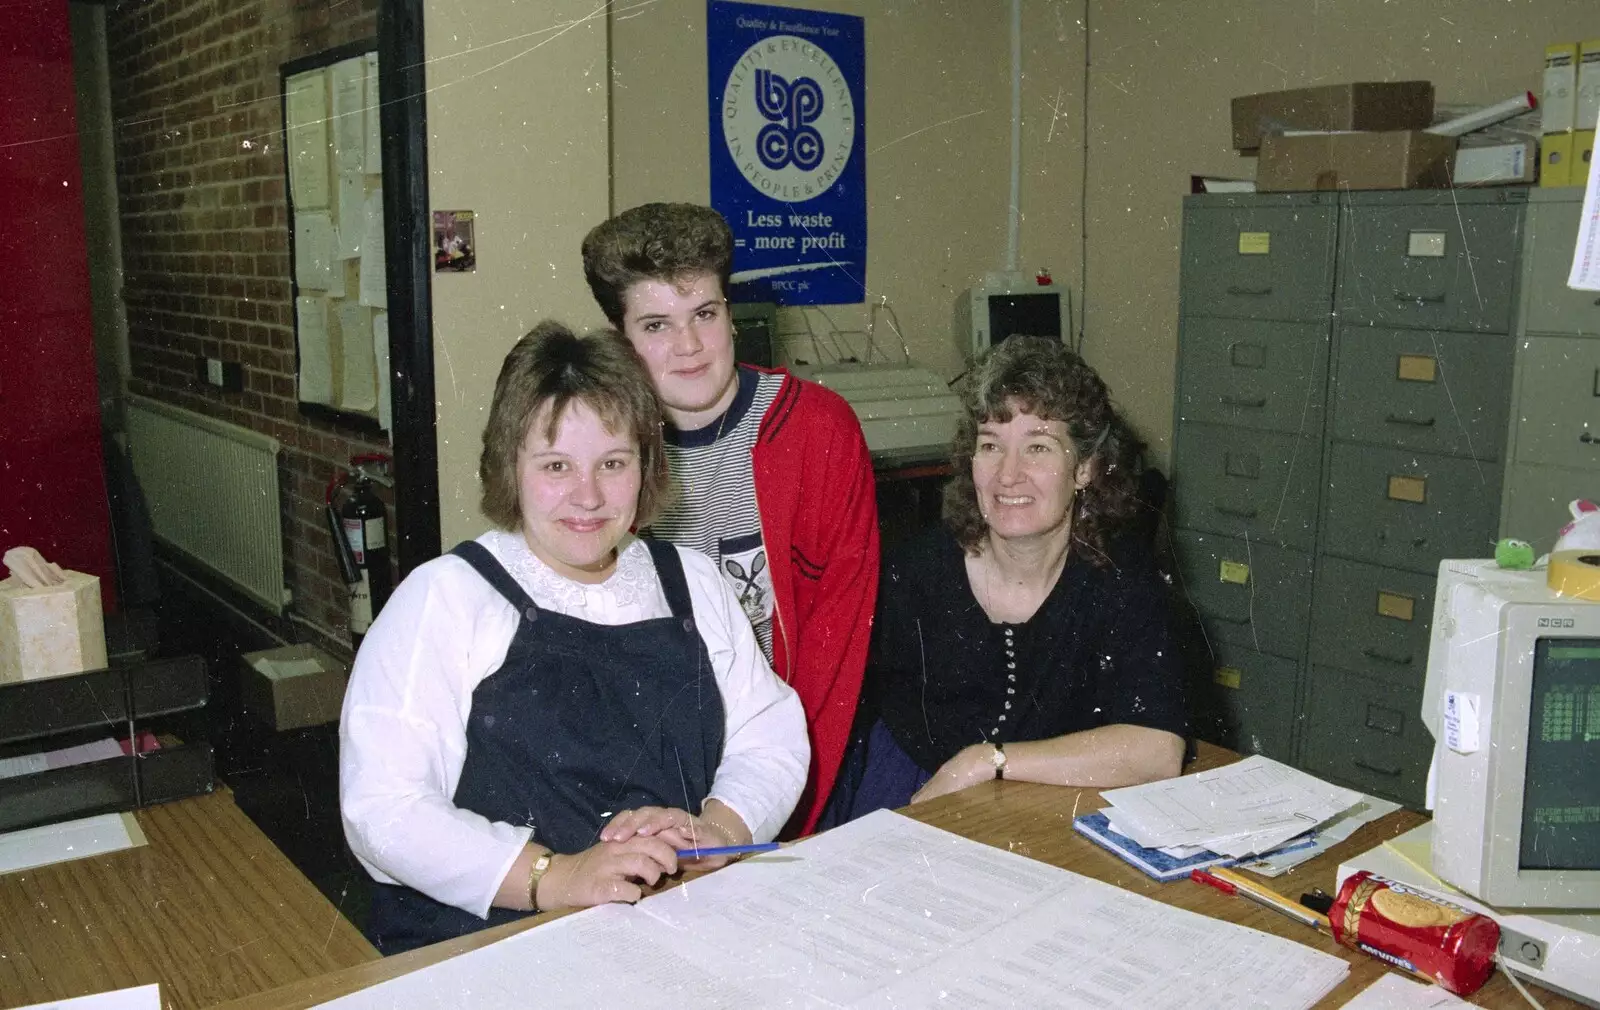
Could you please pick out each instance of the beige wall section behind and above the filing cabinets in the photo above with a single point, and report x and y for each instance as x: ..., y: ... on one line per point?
x: 1162, y: 76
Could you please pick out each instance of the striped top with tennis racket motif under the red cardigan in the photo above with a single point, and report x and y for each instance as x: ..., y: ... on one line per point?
x: 714, y: 507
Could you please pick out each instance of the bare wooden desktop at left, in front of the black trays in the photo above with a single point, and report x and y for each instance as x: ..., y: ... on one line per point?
x: 209, y: 908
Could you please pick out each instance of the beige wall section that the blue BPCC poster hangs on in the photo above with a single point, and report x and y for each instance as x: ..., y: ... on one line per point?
x: 938, y: 146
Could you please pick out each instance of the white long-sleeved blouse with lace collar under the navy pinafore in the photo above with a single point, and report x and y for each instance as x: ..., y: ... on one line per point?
x: 404, y: 731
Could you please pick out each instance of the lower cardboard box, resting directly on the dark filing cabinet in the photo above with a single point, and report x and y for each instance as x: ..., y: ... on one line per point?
x: 1399, y: 159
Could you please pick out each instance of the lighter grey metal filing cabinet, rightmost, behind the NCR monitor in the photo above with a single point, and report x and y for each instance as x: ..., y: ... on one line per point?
x: 1554, y: 427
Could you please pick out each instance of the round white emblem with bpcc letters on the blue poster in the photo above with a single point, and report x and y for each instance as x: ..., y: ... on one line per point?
x: 788, y: 119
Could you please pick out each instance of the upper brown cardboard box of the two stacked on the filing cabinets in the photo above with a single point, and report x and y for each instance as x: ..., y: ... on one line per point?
x: 1407, y: 105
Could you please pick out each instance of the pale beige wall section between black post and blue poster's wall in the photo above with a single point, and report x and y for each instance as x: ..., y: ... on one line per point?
x: 518, y: 132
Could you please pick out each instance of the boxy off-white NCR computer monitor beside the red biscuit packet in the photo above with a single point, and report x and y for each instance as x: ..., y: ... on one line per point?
x: 1513, y: 699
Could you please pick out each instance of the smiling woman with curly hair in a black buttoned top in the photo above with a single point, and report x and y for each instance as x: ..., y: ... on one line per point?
x: 1031, y: 638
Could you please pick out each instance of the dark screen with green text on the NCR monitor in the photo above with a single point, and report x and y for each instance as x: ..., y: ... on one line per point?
x: 1561, y: 808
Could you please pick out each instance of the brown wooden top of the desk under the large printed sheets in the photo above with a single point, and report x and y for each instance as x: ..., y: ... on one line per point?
x: 1034, y: 822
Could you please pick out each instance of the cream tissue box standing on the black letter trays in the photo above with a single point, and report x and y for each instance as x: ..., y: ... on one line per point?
x: 52, y: 631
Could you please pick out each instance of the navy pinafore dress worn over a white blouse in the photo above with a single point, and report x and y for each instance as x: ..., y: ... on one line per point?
x: 580, y: 723
